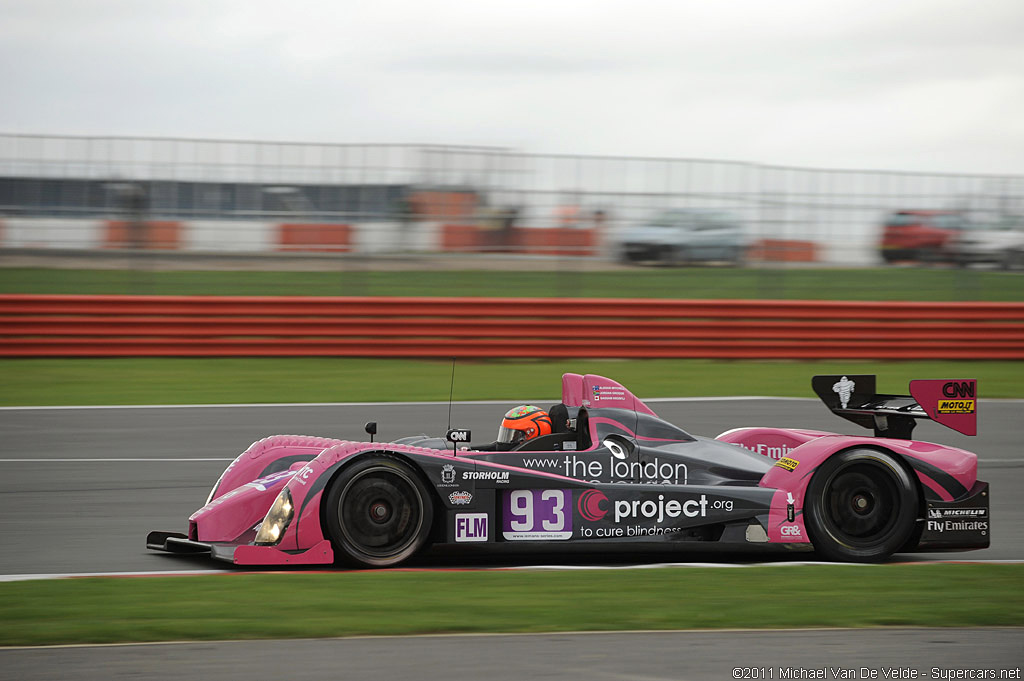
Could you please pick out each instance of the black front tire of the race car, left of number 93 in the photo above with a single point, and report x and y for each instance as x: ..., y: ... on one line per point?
x: 378, y: 514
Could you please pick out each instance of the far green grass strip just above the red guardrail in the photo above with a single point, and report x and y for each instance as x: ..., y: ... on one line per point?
x: 353, y: 278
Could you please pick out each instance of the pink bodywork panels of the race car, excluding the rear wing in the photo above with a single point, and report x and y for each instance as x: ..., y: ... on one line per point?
x: 305, y: 541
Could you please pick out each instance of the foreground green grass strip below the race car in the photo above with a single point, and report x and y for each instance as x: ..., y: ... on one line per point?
x: 254, y: 607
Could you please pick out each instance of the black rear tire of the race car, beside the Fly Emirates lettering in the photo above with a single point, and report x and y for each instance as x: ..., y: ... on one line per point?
x: 862, y: 507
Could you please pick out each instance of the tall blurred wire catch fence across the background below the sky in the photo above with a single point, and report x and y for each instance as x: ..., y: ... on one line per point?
x: 224, y: 196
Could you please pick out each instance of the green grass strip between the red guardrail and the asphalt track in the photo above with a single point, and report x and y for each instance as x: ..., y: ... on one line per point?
x: 195, y: 381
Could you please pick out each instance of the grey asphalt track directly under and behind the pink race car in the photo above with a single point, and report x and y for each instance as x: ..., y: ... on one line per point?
x: 82, y: 487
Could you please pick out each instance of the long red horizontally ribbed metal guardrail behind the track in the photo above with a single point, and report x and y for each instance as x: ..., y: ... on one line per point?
x: 35, y: 326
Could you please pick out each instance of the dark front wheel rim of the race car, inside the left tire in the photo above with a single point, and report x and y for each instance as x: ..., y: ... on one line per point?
x: 381, y: 513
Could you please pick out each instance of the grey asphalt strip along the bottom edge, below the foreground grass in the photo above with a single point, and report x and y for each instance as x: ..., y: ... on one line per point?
x: 933, y: 655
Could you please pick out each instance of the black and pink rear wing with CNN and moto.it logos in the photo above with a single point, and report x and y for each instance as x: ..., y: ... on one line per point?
x: 952, y: 403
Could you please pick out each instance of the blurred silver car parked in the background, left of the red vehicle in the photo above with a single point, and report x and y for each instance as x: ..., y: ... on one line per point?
x: 685, y: 236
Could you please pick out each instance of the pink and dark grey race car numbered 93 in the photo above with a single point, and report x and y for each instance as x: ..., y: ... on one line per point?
x: 611, y: 475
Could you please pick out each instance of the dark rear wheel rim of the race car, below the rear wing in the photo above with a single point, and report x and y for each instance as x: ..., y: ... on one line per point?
x: 862, y: 505
